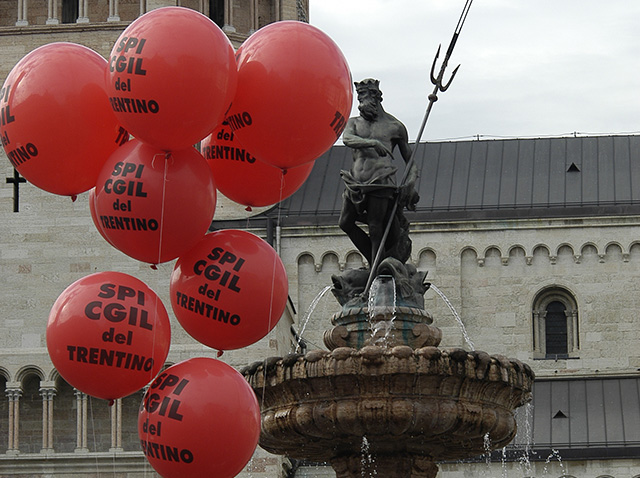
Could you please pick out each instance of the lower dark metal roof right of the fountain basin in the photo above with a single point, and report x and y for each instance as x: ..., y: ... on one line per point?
x: 584, y: 418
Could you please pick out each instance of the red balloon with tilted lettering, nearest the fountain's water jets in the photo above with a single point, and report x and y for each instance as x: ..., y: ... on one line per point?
x: 230, y: 290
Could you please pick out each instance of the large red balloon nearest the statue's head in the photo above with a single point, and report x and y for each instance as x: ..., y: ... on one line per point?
x: 294, y: 94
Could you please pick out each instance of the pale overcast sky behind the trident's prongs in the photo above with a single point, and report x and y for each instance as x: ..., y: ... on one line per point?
x: 530, y: 68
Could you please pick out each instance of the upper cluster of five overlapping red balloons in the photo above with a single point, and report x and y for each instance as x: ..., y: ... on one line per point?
x: 263, y: 114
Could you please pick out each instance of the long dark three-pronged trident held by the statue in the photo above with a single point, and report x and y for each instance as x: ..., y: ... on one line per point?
x: 433, y: 97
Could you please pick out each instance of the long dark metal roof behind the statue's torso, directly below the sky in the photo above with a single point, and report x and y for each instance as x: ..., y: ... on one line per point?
x: 512, y: 178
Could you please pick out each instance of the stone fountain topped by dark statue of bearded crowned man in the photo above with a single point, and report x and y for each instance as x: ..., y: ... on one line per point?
x: 384, y: 399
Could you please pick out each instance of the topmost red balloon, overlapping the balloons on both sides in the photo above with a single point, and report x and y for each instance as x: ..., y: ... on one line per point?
x: 172, y: 76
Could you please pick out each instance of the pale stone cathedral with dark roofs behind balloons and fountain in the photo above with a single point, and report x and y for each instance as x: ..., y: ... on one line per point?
x: 534, y: 243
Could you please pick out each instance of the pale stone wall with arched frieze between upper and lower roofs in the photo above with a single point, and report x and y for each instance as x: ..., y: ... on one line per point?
x: 493, y: 272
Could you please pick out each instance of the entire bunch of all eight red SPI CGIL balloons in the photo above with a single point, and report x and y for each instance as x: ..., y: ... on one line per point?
x: 124, y: 129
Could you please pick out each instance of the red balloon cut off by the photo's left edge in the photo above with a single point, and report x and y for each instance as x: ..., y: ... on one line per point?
x: 57, y: 126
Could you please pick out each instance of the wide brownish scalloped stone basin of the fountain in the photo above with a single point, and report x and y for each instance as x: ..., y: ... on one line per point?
x: 414, y: 407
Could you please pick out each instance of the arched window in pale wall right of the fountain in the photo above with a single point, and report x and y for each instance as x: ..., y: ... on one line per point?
x: 555, y: 324
